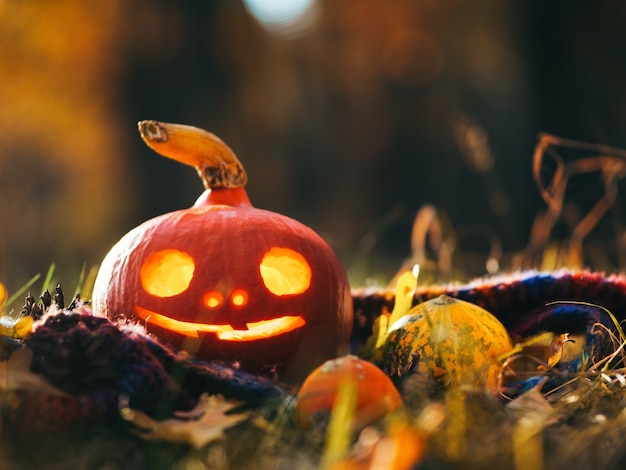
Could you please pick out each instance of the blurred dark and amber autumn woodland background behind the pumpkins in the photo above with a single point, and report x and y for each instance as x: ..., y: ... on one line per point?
x: 350, y: 126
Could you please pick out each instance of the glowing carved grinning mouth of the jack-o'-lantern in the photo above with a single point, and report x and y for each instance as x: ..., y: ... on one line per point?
x: 254, y: 332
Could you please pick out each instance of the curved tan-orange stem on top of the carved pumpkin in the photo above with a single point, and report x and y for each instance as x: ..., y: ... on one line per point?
x: 216, y: 163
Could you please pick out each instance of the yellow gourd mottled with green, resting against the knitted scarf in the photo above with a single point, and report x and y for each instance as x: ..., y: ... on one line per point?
x: 448, y: 340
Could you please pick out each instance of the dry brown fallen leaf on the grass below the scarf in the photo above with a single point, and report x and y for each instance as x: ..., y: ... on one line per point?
x: 197, y: 428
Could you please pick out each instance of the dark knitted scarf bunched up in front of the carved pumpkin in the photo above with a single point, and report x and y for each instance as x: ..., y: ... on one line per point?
x: 96, y: 363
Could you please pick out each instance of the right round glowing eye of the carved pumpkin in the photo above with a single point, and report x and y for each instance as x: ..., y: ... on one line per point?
x: 285, y: 272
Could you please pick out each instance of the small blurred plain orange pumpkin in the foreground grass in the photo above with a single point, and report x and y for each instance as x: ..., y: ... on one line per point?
x: 376, y: 393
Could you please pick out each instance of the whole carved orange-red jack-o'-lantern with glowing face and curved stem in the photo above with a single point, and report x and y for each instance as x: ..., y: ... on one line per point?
x: 225, y: 280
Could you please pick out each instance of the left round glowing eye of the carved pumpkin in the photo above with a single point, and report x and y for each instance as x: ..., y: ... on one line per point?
x: 167, y: 273
